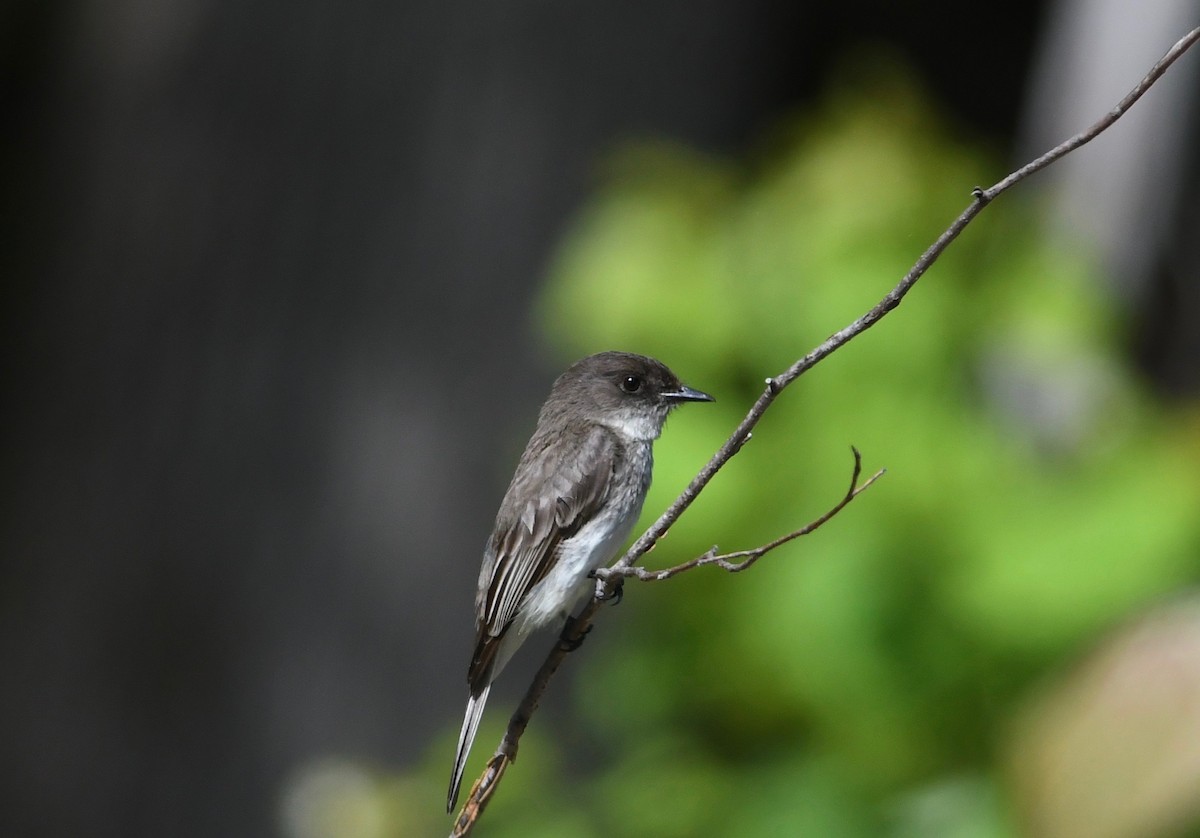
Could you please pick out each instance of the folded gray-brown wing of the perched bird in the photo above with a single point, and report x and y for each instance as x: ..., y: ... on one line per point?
x: 561, y: 496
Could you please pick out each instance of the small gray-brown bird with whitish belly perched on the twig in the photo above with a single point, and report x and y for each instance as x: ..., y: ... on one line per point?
x: 574, y: 500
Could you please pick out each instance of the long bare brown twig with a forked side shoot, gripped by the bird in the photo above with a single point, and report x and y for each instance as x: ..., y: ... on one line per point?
x: 485, y: 787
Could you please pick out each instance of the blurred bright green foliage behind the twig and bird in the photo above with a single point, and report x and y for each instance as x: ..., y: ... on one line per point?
x: 861, y: 681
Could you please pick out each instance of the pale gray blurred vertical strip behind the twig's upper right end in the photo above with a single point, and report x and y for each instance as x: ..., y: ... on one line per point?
x: 1123, y: 195
